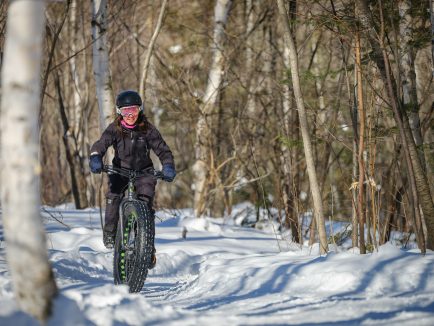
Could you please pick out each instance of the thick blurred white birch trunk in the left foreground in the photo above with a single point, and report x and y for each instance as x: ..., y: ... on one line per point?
x: 27, y: 256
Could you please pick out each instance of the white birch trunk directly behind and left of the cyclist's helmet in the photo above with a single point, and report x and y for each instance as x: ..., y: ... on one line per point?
x: 101, y: 64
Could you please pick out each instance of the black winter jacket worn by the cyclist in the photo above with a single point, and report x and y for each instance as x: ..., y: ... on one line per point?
x: 132, y: 147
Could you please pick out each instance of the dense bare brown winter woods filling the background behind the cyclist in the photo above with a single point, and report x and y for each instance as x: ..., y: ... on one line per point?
x: 220, y: 81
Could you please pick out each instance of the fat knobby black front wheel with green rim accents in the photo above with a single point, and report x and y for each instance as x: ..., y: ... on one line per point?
x: 132, y: 258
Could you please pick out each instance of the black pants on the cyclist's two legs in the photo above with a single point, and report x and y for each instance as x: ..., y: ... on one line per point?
x: 145, y: 190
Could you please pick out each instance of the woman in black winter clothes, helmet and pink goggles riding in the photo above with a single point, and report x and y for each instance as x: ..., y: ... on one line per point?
x: 132, y: 137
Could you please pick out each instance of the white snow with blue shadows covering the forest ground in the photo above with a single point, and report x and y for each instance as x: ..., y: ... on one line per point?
x: 226, y: 273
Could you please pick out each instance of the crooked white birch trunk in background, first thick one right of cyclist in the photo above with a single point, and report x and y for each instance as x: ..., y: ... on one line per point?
x: 215, y: 75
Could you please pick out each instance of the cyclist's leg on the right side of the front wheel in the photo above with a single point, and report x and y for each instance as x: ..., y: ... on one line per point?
x: 145, y: 188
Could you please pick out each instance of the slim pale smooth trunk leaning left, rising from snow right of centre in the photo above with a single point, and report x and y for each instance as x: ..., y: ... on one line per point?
x: 313, y: 180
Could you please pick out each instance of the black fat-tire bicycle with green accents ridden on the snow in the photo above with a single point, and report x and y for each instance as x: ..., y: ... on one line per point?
x: 134, y: 242
